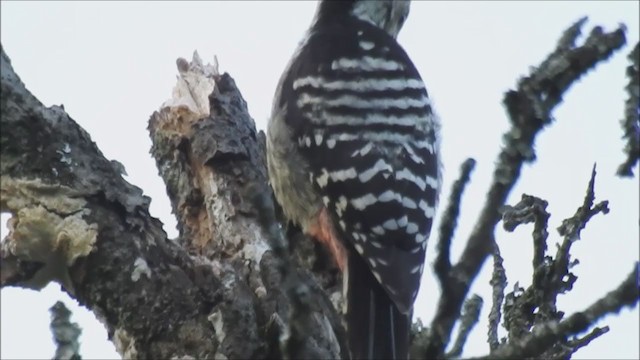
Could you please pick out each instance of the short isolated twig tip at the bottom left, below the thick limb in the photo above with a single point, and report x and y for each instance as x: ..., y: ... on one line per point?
x: 65, y: 333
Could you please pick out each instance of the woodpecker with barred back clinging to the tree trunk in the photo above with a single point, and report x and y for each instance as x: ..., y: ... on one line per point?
x: 353, y: 159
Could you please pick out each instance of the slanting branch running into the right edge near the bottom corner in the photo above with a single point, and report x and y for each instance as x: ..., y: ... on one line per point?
x: 545, y: 336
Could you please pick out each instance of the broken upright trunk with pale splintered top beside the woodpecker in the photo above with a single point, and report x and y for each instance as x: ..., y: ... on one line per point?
x: 212, y: 160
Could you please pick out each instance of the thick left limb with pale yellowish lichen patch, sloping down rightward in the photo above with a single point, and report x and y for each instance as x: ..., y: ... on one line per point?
x: 91, y: 230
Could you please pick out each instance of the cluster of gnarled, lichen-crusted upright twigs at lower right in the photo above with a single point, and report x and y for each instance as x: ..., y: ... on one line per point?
x: 535, y: 307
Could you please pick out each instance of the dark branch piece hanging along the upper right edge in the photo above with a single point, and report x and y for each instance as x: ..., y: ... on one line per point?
x: 631, y: 122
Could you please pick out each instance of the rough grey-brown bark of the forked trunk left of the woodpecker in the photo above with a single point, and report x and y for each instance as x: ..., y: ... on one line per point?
x: 214, y: 292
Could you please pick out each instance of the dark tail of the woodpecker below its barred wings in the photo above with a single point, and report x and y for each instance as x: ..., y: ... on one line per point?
x: 376, y: 328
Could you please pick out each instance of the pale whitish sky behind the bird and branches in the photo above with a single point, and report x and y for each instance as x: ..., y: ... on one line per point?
x: 113, y: 63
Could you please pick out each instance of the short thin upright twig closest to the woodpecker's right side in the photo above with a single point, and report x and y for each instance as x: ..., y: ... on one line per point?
x: 449, y: 221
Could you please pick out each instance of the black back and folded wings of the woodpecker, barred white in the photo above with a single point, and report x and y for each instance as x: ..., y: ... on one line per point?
x: 363, y: 120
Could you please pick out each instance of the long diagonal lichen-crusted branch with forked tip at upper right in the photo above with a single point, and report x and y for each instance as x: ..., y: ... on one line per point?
x: 529, y: 109
